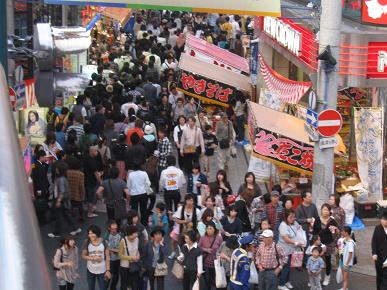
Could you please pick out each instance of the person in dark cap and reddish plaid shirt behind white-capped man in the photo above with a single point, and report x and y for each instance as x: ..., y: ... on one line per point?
x: 274, y: 212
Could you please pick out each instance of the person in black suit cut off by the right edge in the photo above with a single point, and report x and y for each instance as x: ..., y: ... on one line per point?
x: 379, y: 252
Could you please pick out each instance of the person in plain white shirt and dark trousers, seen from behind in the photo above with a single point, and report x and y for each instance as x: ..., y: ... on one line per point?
x: 138, y: 186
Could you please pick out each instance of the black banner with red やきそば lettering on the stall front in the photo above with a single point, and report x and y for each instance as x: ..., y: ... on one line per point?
x: 207, y: 90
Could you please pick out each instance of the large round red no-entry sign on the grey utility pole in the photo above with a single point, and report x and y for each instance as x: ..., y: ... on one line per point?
x: 329, y: 123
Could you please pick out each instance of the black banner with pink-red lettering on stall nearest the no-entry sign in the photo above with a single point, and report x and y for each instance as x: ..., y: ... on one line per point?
x: 283, y: 151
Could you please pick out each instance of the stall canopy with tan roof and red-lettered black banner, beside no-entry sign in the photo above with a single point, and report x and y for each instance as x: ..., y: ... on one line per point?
x: 280, y: 138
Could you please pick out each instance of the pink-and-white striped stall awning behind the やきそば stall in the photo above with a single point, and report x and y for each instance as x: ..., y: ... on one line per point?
x: 213, y: 54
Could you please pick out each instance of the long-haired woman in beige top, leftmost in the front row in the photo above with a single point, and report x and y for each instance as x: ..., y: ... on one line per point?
x: 66, y: 262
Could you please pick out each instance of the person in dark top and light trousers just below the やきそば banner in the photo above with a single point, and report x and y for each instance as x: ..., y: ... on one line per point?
x: 226, y: 137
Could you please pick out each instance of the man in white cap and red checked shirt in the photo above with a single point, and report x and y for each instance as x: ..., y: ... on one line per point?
x: 270, y: 259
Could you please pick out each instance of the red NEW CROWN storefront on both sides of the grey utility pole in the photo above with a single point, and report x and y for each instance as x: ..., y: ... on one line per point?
x: 290, y: 51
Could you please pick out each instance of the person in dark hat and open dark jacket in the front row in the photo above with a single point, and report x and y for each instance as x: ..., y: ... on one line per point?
x: 155, y: 253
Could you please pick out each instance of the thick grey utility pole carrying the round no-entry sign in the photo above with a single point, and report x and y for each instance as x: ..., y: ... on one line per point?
x: 327, y: 82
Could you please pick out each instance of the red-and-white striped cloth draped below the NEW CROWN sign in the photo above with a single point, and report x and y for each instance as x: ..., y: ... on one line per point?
x: 288, y: 91
